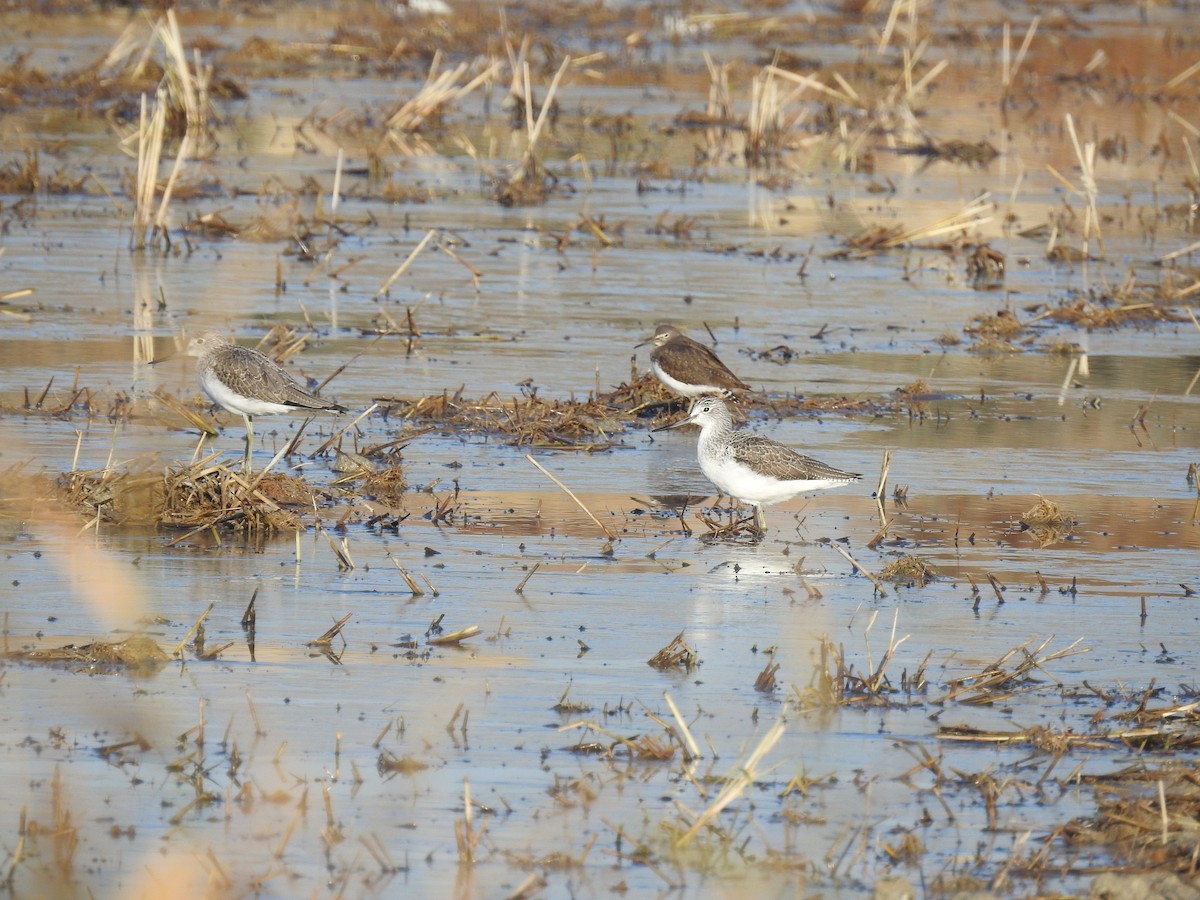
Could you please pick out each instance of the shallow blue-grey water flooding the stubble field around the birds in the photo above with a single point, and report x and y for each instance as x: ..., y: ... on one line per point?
x: 284, y: 770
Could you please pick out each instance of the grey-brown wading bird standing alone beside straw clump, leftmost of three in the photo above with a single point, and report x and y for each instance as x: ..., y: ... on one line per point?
x: 250, y: 383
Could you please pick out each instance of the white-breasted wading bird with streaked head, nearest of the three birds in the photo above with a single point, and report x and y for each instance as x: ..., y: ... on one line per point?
x: 753, y: 469
